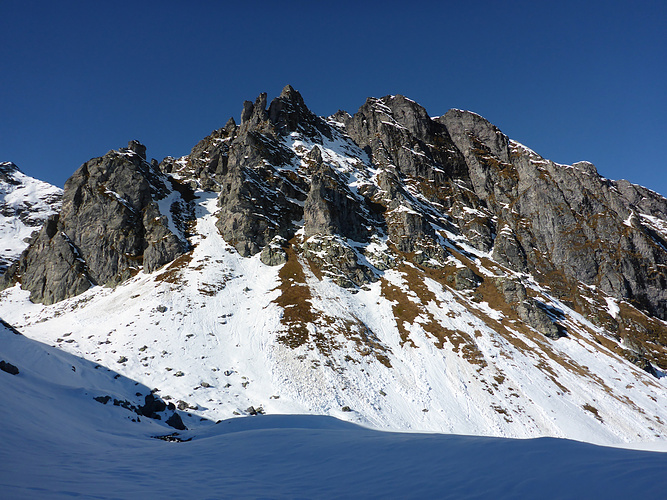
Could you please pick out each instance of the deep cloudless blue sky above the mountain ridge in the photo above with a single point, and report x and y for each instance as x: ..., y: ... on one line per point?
x: 572, y: 80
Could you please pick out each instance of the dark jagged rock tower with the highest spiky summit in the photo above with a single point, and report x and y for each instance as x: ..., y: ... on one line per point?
x: 258, y: 199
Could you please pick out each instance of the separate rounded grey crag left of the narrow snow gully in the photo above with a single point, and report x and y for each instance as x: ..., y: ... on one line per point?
x: 109, y: 226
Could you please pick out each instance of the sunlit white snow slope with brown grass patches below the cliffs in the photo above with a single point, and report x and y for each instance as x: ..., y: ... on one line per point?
x: 205, y: 330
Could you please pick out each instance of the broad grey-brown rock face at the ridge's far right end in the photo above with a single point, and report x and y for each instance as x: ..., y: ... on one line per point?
x: 566, y: 223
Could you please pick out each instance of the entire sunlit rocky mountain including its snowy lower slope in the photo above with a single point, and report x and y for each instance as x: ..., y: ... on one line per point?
x: 387, y: 266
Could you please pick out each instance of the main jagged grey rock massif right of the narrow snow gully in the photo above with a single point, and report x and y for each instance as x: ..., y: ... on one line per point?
x: 457, y: 173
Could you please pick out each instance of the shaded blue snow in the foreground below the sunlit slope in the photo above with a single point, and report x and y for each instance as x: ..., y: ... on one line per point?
x: 59, y: 443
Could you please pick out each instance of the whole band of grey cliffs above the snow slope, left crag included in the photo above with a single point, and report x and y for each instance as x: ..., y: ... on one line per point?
x: 389, y: 187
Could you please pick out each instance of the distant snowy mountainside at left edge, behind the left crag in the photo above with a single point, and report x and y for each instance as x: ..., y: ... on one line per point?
x: 25, y: 203
